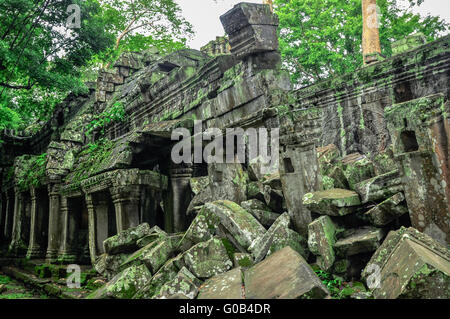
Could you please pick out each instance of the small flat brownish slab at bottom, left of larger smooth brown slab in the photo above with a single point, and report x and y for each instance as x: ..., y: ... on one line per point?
x: 223, y: 286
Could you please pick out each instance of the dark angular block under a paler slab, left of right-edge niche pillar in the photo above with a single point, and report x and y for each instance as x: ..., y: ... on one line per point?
x: 387, y: 211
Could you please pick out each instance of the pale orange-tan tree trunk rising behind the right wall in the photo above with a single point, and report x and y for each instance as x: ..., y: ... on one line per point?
x: 371, y: 34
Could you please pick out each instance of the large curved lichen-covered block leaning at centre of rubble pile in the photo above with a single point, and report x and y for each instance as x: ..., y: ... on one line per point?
x: 239, y: 223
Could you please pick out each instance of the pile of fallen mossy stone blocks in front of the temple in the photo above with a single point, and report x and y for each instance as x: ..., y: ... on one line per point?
x: 244, y: 246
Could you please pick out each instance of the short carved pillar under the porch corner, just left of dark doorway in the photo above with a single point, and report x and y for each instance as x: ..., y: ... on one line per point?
x: 126, y: 201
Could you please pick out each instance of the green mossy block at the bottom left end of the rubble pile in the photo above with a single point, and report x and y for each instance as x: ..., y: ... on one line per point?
x: 125, y: 284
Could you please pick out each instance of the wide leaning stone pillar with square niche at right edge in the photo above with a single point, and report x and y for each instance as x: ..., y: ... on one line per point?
x: 420, y: 131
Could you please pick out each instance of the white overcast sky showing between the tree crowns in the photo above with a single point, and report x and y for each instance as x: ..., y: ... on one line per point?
x: 204, y: 16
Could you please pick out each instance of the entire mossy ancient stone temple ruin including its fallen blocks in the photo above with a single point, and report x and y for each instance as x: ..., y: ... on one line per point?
x: 361, y: 157
